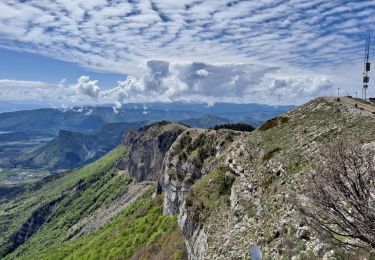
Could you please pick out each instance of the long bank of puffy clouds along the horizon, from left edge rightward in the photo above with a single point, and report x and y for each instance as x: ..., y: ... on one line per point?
x: 167, y: 82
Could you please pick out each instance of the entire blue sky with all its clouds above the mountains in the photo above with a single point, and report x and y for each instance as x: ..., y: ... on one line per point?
x: 75, y: 52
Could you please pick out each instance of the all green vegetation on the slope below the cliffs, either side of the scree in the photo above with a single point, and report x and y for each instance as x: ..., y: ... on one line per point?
x: 140, y: 231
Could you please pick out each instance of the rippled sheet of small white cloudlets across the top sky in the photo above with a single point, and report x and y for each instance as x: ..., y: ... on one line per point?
x: 116, y: 35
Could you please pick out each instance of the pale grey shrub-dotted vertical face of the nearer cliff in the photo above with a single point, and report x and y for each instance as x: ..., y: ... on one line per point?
x: 194, y: 155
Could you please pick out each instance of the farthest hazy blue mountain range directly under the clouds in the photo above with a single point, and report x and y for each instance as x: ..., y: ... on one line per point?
x: 84, y: 119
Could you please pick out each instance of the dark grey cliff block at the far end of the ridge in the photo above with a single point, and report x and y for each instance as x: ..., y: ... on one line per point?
x: 148, y: 147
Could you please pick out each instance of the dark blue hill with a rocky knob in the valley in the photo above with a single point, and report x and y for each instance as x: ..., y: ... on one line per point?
x: 72, y: 149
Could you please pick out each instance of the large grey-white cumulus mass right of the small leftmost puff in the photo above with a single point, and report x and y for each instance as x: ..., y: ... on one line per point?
x: 232, y: 83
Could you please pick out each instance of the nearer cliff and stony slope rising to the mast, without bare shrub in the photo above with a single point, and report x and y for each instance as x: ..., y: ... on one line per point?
x: 232, y: 190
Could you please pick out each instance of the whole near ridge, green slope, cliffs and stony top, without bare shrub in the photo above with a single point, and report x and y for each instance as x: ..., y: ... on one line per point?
x: 221, y: 191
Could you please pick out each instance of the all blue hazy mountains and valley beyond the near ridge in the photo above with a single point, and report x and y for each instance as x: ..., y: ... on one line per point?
x: 57, y: 139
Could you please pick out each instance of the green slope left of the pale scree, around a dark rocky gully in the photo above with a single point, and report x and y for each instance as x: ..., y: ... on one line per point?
x: 84, y: 190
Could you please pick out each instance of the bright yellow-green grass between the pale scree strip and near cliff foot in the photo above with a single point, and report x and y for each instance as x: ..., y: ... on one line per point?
x: 140, y: 229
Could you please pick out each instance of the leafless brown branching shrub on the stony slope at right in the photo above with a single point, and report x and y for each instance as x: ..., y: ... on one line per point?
x: 338, y: 197
